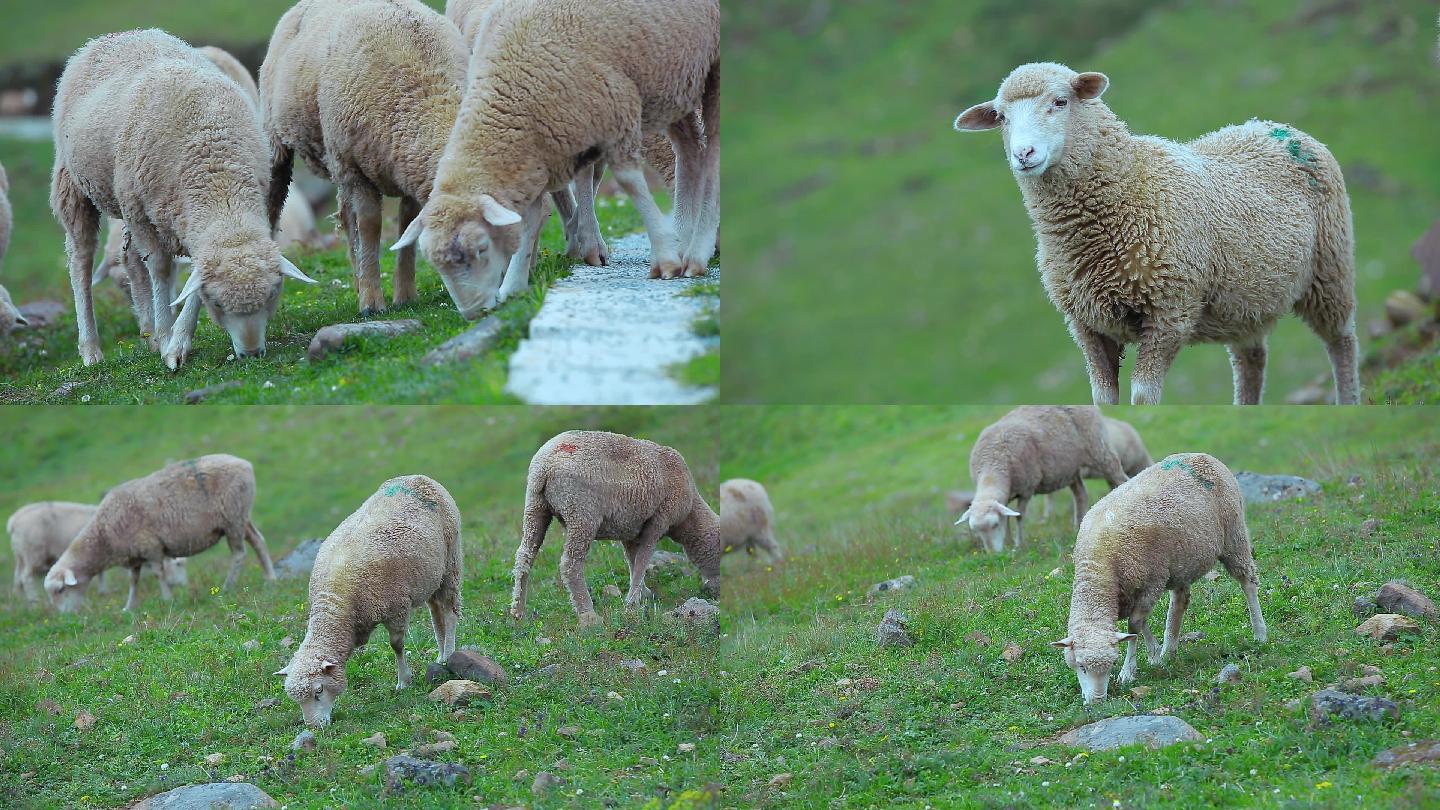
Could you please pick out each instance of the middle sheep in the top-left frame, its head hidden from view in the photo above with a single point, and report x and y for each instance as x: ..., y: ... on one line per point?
x: 368, y: 94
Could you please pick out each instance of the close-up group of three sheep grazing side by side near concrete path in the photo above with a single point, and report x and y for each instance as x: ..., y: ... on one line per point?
x: 472, y: 119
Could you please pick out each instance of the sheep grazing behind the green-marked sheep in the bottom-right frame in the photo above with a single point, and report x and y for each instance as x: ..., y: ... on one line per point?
x: 1035, y: 450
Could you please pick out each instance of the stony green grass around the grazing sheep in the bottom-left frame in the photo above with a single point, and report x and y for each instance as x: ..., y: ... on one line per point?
x: 185, y: 687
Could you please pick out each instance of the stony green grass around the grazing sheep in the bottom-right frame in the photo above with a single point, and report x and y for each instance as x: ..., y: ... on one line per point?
x: 948, y: 723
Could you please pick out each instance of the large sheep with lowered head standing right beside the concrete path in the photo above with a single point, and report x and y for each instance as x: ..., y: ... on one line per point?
x: 554, y: 87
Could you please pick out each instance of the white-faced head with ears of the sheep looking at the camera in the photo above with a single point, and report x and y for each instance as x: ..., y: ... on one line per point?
x: 1035, y: 110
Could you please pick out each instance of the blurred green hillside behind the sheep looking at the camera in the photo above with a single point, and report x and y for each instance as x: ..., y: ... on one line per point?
x: 875, y: 234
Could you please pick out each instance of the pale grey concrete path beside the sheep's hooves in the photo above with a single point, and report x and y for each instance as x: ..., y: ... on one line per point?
x: 608, y: 337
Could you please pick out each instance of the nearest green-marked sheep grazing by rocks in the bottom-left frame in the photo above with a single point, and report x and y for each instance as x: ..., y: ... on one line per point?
x: 398, y: 551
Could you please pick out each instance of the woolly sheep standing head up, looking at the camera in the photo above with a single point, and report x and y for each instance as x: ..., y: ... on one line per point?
x: 1170, y: 244
